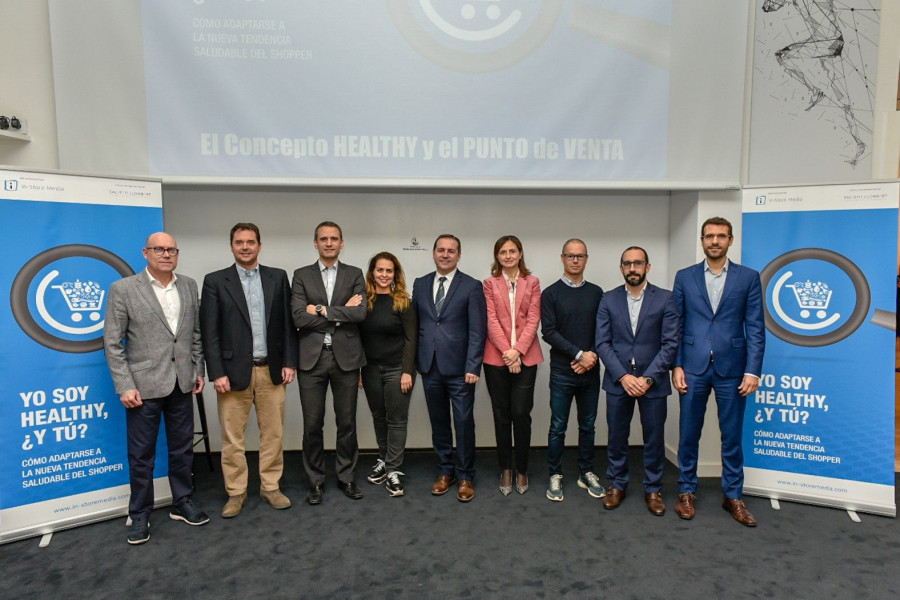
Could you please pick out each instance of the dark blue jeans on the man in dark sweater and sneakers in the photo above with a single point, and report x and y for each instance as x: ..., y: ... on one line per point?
x: 586, y: 391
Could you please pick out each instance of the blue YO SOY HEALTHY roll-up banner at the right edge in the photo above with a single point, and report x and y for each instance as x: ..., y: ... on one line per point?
x: 820, y: 429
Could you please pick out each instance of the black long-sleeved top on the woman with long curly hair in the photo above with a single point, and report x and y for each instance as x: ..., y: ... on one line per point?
x: 389, y: 338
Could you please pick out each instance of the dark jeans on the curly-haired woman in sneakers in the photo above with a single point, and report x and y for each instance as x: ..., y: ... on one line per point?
x: 390, y: 412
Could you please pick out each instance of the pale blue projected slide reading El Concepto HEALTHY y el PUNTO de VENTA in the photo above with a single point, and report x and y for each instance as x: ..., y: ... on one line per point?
x: 432, y: 88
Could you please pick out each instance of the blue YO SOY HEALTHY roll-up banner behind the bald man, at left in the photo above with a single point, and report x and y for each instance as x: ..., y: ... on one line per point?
x: 62, y: 427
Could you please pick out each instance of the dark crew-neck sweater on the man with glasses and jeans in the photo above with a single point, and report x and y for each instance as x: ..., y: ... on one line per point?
x: 569, y: 322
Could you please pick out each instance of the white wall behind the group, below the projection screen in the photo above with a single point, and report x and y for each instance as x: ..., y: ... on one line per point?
x: 200, y: 219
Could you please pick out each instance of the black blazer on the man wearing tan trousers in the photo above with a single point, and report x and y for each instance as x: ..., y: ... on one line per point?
x: 225, y: 326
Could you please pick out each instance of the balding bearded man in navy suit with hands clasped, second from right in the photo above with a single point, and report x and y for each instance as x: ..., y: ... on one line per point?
x: 637, y: 338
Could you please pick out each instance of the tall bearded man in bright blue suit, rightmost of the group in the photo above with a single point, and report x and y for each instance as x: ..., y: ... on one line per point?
x: 720, y: 311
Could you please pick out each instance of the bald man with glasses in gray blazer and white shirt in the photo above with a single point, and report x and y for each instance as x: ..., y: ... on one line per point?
x: 151, y: 337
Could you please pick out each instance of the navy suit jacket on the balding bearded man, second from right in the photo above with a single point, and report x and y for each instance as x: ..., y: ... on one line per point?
x: 652, y: 346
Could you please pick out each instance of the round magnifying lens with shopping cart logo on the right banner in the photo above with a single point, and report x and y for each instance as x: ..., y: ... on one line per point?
x: 814, y: 297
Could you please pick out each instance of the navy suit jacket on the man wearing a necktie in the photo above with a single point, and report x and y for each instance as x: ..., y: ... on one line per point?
x: 455, y: 340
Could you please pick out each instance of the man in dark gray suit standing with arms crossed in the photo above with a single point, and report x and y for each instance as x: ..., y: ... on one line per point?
x: 327, y: 303
